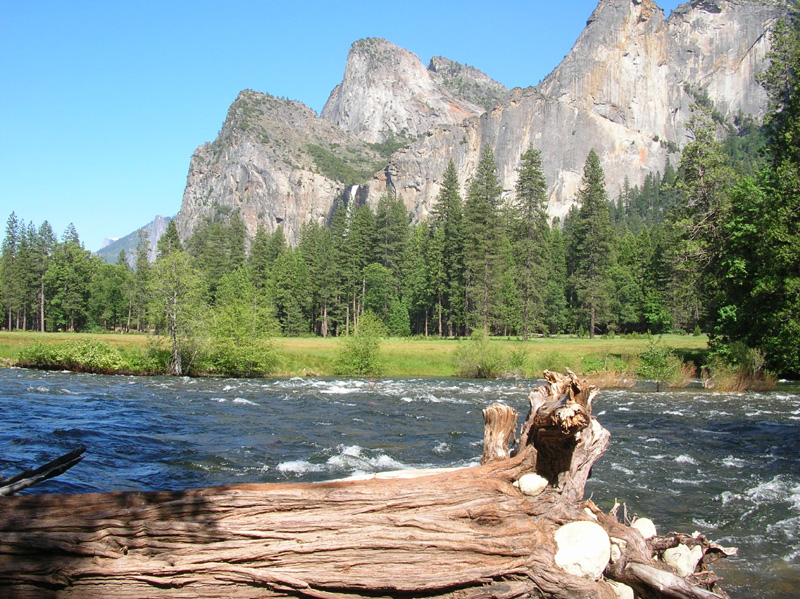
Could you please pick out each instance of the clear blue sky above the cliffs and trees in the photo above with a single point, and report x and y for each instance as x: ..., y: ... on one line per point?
x: 103, y: 103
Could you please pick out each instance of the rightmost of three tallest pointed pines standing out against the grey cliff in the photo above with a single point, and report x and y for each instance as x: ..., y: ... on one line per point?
x: 591, y: 244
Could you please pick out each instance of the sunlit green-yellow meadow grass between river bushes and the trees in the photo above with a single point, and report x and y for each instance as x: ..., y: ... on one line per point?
x: 409, y: 357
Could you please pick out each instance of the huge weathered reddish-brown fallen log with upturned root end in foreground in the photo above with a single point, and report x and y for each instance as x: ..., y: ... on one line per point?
x: 516, y: 526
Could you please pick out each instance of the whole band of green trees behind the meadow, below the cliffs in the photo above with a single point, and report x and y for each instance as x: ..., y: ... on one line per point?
x: 712, y: 245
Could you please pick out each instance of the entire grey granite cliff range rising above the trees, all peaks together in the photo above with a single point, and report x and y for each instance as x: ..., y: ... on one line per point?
x: 625, y: 89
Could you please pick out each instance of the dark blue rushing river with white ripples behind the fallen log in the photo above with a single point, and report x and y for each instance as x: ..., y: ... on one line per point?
x: 727, y: 465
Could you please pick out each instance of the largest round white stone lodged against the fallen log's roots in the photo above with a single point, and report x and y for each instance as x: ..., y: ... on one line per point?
x: 583, y: 549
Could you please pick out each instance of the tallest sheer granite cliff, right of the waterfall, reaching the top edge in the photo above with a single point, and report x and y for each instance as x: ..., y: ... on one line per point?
x: 625, y: 89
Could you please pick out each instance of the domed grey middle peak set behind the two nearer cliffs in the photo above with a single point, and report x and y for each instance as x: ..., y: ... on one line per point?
x: 387, y: 90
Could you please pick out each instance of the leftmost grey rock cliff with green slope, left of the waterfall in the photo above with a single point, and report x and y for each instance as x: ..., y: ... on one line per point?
x: 275, y: 162
